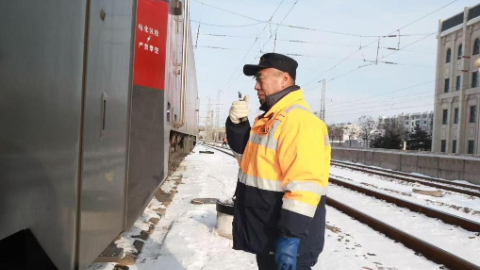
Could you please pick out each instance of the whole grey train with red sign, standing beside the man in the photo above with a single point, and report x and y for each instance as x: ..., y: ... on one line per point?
x: 97, y: 100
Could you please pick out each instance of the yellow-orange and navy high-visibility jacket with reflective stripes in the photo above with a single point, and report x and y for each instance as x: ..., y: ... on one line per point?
x: 283, y: 179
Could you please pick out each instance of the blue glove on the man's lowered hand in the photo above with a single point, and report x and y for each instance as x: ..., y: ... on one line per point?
x: 286, y: 253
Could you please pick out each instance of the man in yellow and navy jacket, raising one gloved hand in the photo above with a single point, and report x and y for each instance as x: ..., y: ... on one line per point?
x: 284, y: 167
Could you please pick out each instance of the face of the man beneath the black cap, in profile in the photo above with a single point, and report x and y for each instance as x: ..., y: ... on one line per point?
x: 269, y: 82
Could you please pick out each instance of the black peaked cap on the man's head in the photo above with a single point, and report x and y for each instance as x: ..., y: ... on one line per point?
x: 273, y: 60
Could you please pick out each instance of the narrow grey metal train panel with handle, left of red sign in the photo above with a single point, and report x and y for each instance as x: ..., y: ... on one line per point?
x: 108, y: 84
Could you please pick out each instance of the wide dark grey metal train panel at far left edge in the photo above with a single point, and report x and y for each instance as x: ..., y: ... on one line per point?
x: 41, y: 71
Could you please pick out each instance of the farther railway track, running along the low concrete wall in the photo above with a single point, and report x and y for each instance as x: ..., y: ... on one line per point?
x: 432, y: 182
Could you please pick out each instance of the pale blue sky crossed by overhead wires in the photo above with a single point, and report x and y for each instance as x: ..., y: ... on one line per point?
x: 375, y: 89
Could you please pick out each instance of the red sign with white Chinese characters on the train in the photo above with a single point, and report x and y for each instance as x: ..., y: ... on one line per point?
x: 150, y: 44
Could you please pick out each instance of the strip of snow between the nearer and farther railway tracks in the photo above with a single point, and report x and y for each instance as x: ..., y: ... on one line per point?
x: 458, y: 204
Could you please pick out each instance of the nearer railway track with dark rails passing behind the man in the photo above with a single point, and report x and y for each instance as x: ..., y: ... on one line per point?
x: 431, y: 252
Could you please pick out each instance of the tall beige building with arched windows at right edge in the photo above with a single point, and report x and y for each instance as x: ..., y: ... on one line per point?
x: 457, y: 95
